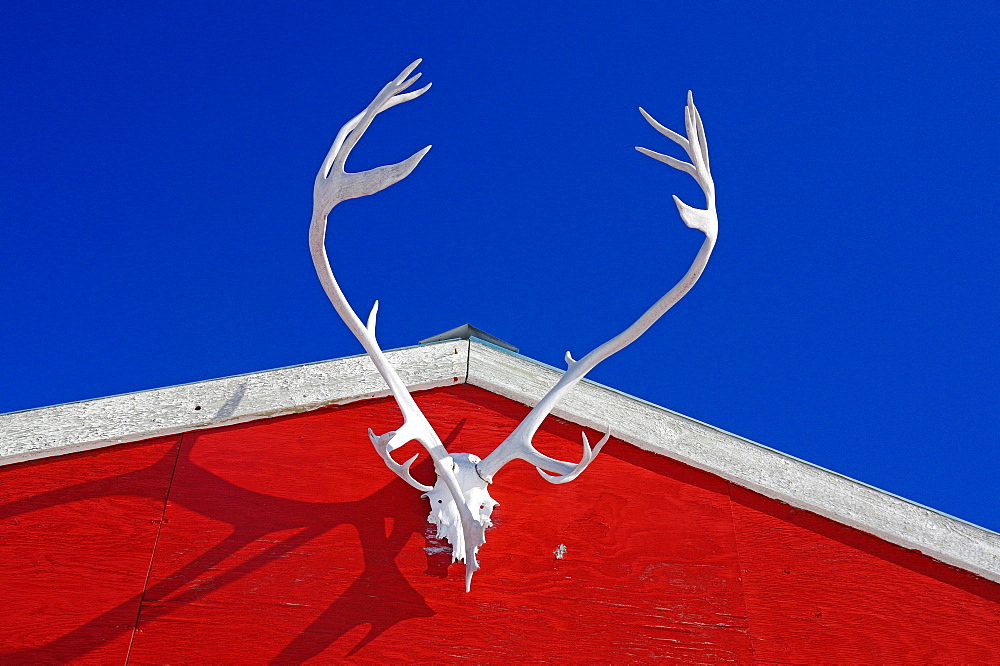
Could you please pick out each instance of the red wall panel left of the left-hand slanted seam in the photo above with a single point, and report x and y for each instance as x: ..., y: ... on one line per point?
x: 76, y: 538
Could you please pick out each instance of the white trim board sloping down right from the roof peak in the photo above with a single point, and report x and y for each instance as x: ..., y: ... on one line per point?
x: 745, y: 463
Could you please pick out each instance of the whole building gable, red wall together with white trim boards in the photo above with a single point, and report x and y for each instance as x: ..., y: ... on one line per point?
x: 249, y: 519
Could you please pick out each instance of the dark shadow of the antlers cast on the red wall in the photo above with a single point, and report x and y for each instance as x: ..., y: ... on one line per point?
x: 380, y: 596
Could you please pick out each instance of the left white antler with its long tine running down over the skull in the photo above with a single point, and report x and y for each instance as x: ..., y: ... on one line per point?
x: 333, y: 185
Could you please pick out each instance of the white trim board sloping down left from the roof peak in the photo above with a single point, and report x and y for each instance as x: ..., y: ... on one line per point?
x: 79, y: 426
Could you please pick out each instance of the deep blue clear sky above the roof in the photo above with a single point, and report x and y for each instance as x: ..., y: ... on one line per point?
x: 158, y: 163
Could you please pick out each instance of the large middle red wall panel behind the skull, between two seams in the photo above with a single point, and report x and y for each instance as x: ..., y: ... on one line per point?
x: 288, y: 539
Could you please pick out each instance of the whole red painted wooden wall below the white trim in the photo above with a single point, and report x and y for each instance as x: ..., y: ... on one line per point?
x: 287, y: 540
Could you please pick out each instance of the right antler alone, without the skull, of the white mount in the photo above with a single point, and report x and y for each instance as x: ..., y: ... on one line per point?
x: 518, y: 443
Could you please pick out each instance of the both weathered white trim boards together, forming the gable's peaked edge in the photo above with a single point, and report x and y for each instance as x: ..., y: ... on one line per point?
x: 80, y: 426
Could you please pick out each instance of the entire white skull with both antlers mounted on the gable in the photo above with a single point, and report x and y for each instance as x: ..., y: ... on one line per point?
x: 460, y: 502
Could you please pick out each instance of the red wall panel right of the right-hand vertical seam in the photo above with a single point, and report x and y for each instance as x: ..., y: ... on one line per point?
x: 821, y: 592
